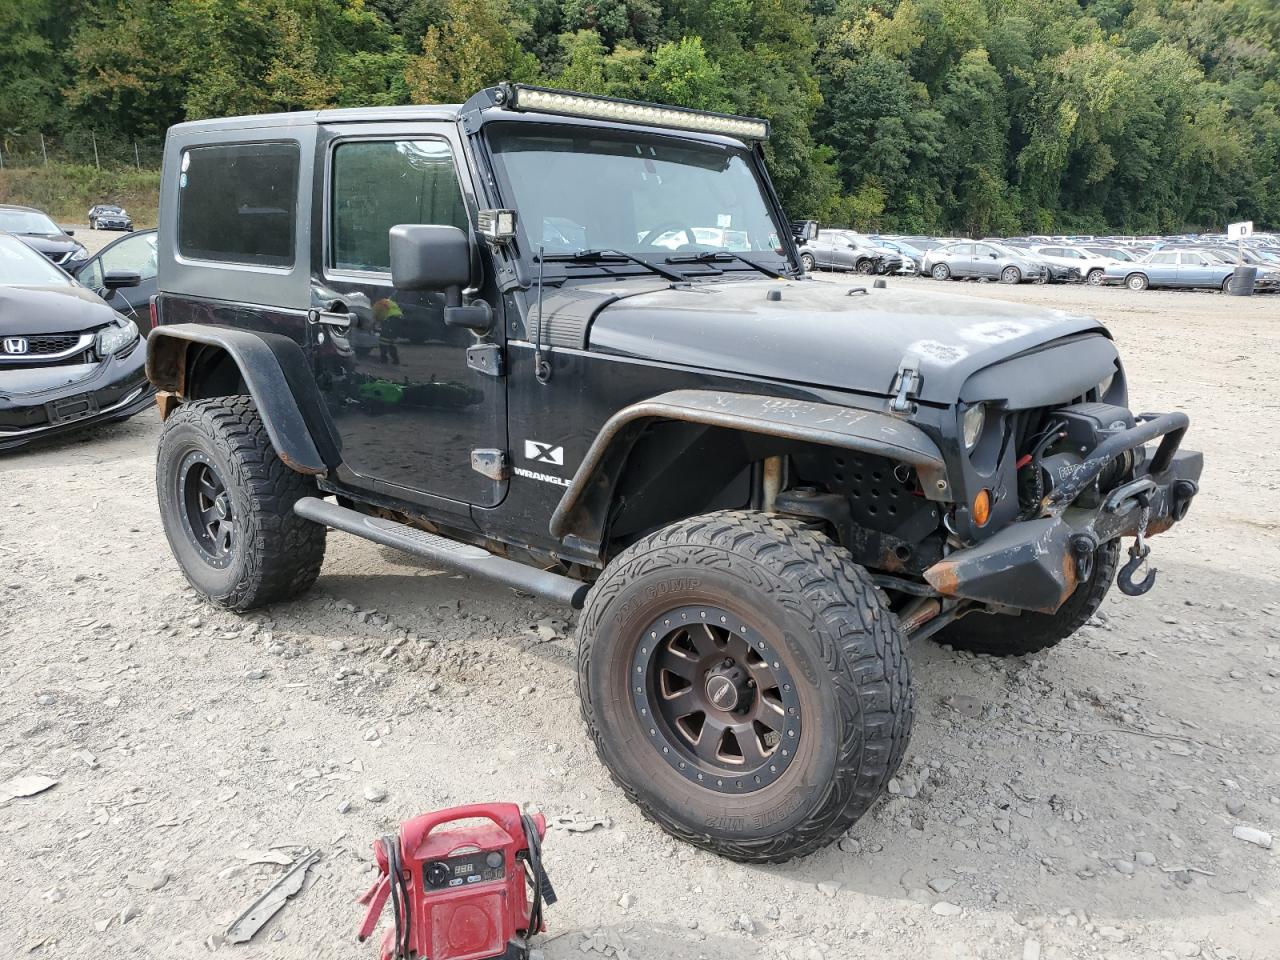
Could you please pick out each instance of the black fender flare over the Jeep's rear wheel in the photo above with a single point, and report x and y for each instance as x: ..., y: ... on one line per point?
x: 277, y: 376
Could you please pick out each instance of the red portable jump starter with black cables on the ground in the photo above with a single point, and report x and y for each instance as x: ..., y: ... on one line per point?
x: 470, y: 893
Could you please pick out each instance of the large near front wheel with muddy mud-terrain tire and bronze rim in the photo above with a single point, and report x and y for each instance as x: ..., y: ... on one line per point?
x: 772, y: 641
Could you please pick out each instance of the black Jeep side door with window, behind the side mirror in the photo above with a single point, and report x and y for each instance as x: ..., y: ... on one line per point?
x: 409, y: 409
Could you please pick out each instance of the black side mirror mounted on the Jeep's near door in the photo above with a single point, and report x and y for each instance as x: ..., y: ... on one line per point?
x: 429, y: 258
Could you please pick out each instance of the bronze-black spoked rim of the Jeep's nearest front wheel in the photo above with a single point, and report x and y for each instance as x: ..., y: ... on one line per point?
x: 717, y: 702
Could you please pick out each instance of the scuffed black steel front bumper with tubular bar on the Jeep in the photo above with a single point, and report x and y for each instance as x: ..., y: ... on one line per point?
x: 1037, y: 564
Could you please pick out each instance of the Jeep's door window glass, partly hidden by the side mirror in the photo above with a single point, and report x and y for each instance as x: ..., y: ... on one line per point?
x: 381, y: 184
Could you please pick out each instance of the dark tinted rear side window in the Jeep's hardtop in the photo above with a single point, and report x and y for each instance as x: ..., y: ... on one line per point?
x: 239, y: 204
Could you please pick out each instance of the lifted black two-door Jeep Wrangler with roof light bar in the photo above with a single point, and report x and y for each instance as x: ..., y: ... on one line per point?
x: 566, y: 344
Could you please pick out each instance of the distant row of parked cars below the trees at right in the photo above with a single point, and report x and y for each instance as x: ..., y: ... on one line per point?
x: 1194, y: 262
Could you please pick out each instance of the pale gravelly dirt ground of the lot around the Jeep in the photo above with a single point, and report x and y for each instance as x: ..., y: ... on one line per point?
x: 1073, y: 804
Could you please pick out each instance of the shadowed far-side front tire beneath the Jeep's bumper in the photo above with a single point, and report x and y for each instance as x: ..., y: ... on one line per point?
x: 1002, y: 636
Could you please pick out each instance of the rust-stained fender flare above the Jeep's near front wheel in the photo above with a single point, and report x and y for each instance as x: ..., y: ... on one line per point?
x: 825, y: 424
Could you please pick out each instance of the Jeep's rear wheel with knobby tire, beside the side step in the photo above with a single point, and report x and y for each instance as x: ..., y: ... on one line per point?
x: 227, y: 506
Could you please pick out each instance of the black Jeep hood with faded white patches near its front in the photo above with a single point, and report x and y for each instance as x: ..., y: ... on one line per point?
x: 825, y: 335
